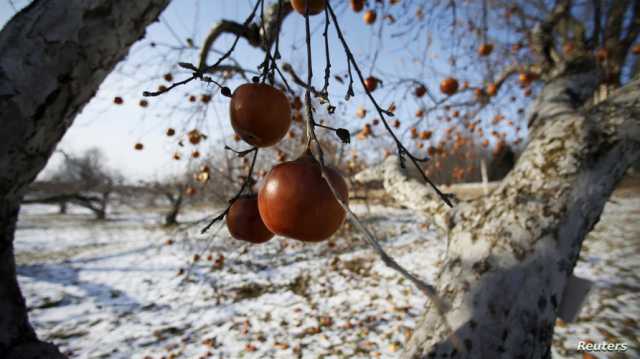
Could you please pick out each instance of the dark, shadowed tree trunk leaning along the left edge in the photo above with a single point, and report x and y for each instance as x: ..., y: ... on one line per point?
x: 55, y: 54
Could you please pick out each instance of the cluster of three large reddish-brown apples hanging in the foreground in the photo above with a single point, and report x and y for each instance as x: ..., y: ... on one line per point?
x: 294, y: 199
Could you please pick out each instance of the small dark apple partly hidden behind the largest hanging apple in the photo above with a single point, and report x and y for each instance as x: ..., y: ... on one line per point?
x: 244, y: 222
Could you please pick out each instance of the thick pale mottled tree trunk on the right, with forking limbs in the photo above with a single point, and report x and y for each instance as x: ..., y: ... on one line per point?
x: 510, y: 254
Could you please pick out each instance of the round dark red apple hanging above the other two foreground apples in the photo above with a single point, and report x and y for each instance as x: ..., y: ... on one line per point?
x: 260, y: 114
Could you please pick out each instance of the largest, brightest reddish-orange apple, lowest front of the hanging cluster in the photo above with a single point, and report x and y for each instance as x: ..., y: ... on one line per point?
x: 295, y: 201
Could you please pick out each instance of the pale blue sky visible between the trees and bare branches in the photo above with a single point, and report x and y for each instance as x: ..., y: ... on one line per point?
x: 115, y: 129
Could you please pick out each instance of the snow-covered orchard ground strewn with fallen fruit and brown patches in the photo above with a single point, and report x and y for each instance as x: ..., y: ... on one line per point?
x: 128, y: 288
